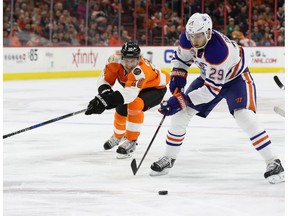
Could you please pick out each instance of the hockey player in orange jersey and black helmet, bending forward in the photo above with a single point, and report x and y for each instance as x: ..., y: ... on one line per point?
x: 144, y: 86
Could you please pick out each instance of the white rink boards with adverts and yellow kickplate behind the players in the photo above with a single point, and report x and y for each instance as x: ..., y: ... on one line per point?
x: 67, y: 62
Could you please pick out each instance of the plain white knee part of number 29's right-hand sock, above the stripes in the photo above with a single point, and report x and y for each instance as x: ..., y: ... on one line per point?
x: 247, y: 121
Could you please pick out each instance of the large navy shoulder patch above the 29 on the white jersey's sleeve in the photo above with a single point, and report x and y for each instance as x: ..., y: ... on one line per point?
x: 216, y: 51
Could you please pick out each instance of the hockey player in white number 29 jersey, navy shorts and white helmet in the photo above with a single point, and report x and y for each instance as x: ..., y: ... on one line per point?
x: 224, y: 74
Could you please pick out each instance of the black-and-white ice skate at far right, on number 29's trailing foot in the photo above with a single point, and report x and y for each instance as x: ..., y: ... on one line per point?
x: 275, y: 172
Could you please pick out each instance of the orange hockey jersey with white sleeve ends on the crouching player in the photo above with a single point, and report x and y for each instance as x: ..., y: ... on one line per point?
x: 145, y: 75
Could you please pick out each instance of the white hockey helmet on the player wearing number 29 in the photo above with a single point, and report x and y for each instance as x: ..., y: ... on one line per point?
x: 198, y: 23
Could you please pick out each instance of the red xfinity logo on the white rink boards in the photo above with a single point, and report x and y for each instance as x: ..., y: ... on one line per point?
x: 84, y: 58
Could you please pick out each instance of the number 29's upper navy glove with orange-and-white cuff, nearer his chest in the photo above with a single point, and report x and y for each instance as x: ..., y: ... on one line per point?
x: 178, y: 80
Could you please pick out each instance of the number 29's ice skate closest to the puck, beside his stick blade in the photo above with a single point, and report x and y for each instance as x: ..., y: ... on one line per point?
x: 162, y: 166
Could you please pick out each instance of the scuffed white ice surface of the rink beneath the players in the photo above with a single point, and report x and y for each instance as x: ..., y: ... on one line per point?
x: 62, y: 169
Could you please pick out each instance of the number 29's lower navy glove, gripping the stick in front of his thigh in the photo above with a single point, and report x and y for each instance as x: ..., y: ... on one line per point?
x: 173, y: 105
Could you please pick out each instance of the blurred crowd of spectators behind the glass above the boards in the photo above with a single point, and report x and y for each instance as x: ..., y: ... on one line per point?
x: 109, y: 23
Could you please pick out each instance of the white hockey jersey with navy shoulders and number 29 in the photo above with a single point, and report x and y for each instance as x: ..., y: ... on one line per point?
x: 220, y: 61
